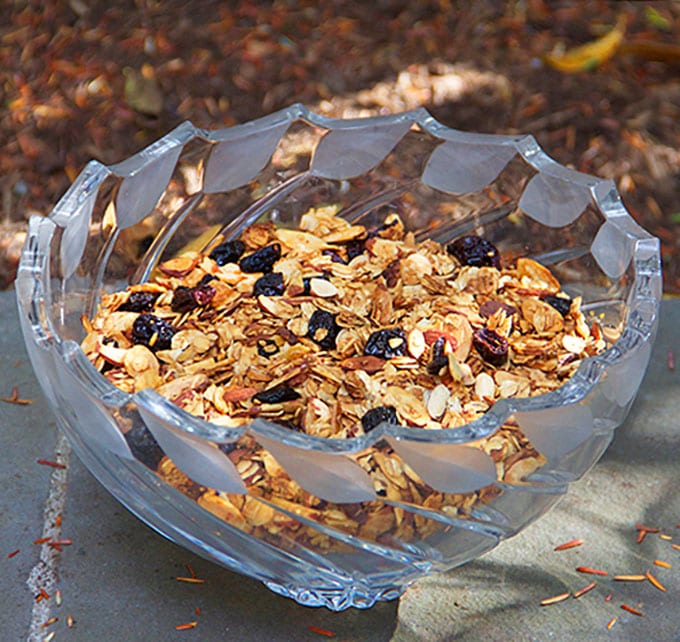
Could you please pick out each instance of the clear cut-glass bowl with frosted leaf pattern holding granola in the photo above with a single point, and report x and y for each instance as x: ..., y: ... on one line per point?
x: 349, y: 546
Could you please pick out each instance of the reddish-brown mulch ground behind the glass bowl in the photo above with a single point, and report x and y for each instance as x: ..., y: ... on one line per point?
x: 92, y: 79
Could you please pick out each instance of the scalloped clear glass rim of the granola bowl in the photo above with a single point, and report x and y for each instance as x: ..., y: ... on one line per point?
x: 639, y: 327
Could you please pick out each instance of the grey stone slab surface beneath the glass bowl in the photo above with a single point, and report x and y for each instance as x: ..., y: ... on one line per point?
x: 117, y: 578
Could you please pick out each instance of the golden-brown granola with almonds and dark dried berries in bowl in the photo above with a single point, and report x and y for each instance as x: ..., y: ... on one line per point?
x: 332, y: 329
